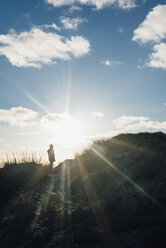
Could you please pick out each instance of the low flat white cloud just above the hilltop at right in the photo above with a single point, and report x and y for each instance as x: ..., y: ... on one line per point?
x: 138, y: 123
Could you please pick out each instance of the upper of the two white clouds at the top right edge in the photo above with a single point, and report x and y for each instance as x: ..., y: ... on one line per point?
x: 153, y: 27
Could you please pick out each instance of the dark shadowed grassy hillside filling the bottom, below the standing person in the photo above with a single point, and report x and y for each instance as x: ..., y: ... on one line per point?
x: 112, y: 195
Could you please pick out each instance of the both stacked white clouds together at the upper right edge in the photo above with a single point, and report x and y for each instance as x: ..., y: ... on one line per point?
x: 152, y: 29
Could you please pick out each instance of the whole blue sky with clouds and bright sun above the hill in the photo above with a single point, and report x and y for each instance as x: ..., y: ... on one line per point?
x: 72, y: 71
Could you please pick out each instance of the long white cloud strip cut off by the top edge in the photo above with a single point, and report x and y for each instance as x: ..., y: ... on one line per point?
x: 99, y: 4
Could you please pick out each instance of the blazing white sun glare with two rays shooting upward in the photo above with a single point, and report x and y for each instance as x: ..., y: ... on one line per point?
x: 59, y: 128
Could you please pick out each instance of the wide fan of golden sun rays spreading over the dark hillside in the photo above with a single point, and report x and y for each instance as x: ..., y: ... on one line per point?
x: 81, y: 181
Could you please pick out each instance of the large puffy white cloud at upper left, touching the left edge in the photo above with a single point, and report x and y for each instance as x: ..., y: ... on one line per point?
x: 37, y: 47
